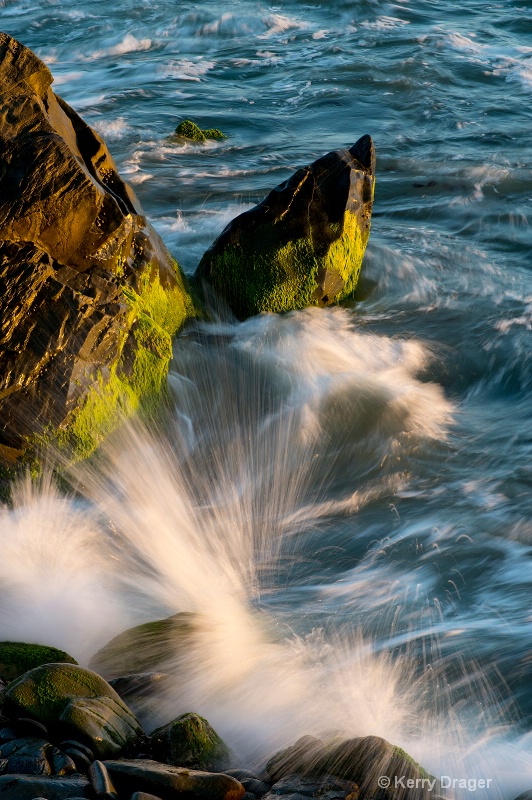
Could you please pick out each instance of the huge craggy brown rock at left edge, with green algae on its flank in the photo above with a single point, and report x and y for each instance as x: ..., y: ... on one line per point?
x: 89, y: 296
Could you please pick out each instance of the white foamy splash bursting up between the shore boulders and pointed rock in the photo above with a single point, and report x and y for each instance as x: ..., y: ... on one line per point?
x: 216, y: 514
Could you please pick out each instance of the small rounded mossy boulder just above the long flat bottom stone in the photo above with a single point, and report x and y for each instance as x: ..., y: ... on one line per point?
x: 189, y: 741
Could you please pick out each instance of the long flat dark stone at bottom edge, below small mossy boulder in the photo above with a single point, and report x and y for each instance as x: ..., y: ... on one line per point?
x: 166, y: 781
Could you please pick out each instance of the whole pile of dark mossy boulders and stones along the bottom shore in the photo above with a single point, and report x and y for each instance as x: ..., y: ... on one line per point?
x: 66, y: 733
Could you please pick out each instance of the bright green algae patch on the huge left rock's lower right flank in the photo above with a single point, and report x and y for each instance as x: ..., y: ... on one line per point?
x: 137, y: 380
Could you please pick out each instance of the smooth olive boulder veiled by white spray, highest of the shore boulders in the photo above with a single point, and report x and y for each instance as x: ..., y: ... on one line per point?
x: 145, y: 647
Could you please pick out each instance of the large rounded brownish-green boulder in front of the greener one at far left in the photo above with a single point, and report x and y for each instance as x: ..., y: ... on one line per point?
x: 76, y: 702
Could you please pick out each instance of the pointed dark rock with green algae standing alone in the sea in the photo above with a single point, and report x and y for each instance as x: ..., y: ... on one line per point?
x: 303, y: 244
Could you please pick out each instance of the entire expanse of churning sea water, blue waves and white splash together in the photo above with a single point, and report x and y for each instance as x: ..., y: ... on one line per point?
x: 344, y: 494
